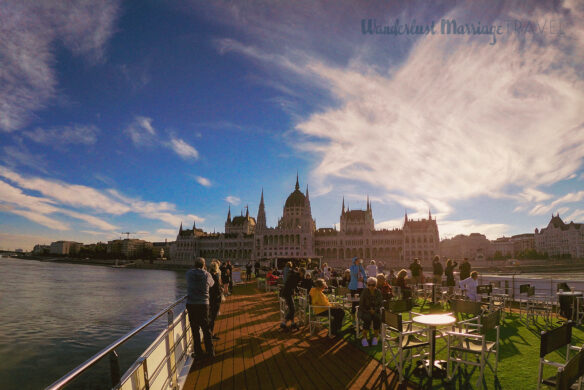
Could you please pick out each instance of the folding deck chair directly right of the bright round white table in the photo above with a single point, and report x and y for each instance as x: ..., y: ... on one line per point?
x: 479, y: 344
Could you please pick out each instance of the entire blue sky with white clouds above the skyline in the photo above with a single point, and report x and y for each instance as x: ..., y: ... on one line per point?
x: 137, y: 116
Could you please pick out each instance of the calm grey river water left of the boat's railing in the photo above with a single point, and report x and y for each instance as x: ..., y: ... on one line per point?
x: 54, y: 316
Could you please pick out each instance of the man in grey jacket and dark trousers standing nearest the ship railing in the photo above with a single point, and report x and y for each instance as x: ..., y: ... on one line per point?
x: 198, y: 283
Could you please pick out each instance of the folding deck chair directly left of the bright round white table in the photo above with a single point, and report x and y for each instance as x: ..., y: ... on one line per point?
x: 400, y: 345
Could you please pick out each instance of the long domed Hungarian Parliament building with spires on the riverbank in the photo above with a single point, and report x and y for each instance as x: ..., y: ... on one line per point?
x: 296, y: 237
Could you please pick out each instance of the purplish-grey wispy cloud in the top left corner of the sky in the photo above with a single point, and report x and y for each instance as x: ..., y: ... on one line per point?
x: 29, y: 31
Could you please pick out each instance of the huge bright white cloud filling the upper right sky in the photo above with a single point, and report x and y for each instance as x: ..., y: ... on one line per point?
x: 458, y: 119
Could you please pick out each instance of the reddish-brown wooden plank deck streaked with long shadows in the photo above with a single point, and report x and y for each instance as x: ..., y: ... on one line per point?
x: 254, y: 353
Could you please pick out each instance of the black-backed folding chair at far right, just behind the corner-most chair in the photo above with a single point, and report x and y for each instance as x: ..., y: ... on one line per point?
x: 554, y: 340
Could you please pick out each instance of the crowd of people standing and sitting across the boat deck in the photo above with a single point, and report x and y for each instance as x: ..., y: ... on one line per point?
x: 206, y: 290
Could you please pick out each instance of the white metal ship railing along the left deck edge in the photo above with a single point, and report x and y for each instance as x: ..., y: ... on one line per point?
x: 159, y: 367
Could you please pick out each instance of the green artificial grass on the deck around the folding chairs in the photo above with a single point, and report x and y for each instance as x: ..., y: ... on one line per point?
x: 518, y: 356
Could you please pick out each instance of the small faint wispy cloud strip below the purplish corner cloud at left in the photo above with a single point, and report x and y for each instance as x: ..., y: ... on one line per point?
x: 64, y: 135
